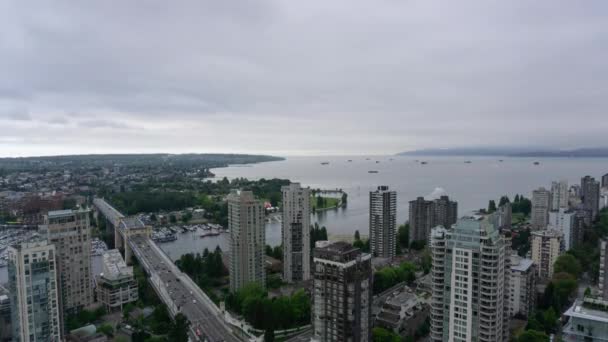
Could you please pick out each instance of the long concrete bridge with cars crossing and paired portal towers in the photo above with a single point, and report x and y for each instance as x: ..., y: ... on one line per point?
x: 207, y: 322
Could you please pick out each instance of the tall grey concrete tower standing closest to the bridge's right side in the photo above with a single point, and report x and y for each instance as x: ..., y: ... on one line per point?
x: 247, y: 240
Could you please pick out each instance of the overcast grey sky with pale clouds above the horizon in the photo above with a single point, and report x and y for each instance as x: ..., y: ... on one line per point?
x: 300, y: 77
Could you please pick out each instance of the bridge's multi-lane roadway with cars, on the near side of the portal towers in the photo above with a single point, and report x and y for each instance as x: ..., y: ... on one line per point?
x: 204, y: 321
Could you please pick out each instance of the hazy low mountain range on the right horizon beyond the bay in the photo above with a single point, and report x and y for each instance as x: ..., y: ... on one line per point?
x: 511, y: 152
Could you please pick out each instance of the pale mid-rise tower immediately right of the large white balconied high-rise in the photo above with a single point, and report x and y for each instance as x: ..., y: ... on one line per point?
x: 522, y: 286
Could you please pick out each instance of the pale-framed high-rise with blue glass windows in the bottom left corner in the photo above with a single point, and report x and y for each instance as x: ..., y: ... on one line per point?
x: 34, y: 293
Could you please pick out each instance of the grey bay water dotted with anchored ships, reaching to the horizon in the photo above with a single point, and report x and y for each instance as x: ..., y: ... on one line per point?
x: 472, y: 184
